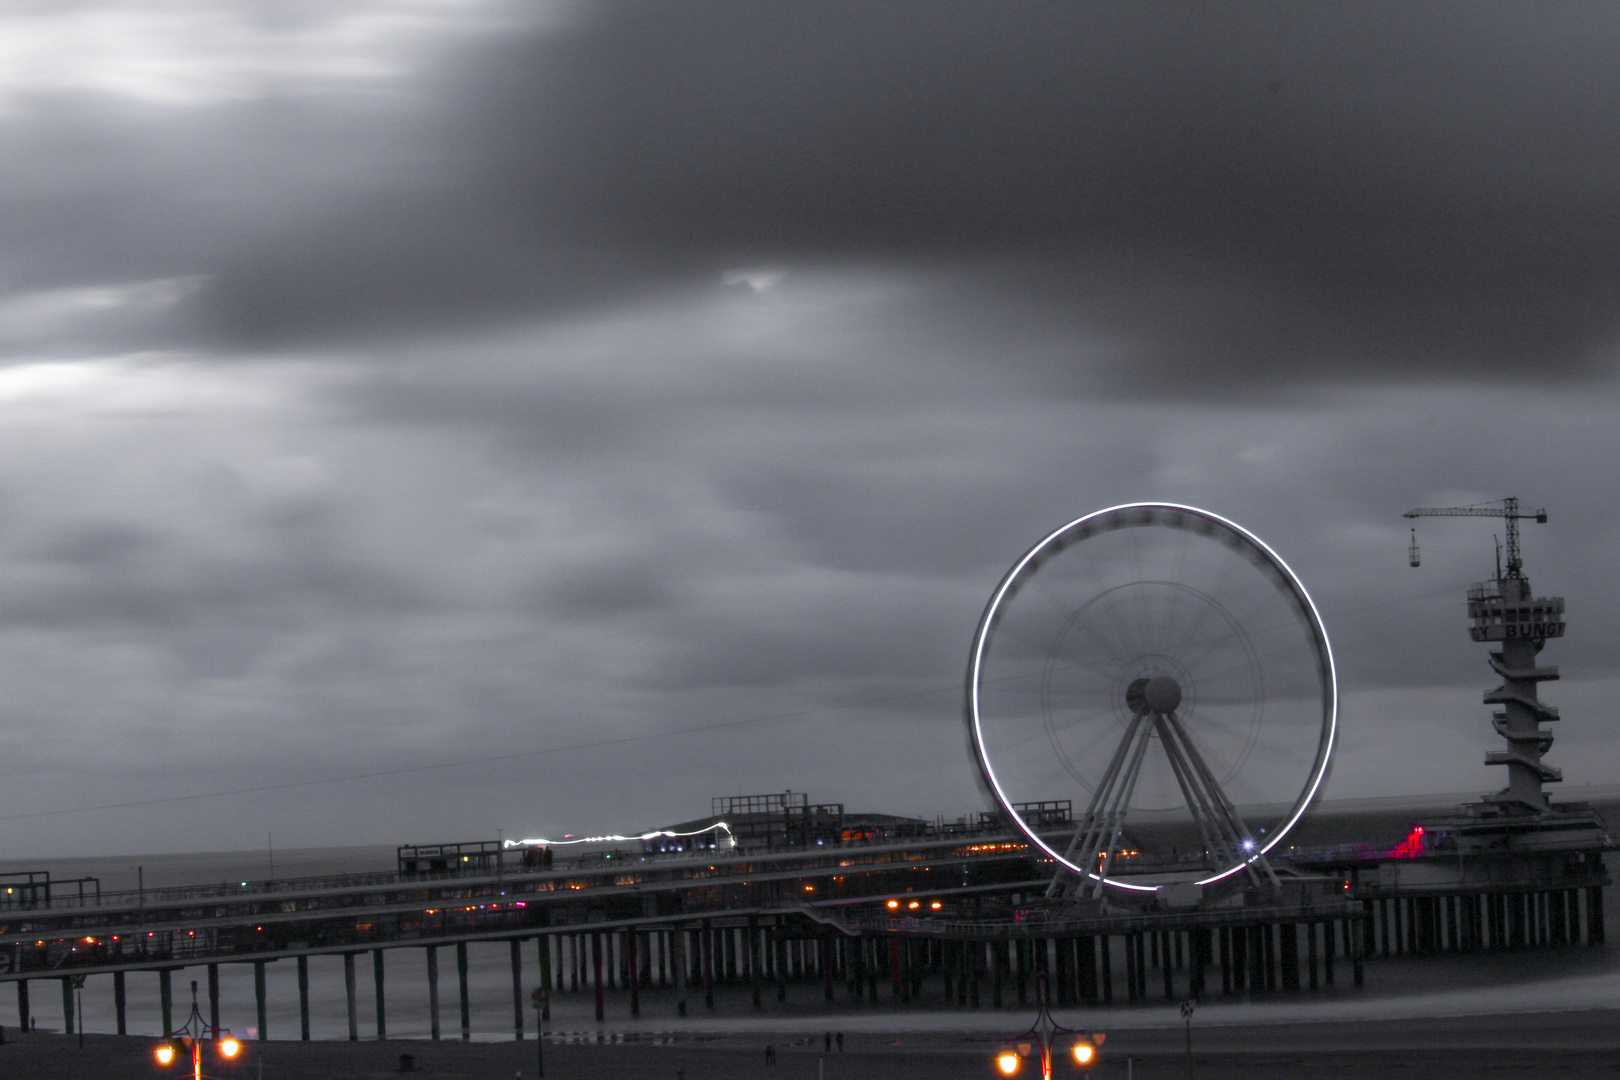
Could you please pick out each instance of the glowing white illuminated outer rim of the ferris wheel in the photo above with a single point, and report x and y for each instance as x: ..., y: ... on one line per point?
x: 1023, y: 568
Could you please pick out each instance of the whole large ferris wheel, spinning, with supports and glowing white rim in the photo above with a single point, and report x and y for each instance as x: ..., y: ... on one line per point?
x: 1164, y: 670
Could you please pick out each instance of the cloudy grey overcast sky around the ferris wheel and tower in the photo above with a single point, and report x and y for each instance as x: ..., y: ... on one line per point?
x: 576, y: 412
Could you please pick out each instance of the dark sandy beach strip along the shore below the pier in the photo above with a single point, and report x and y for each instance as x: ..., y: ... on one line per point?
x: 1567, y: 1045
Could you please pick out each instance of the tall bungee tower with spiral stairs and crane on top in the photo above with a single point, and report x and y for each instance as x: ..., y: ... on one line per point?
x: 1506, y: 613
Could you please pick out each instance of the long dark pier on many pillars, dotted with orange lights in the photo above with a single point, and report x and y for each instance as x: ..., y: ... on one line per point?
x: 953, y: 917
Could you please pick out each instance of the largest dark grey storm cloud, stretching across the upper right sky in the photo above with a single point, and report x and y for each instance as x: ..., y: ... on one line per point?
x: 1229, y: 192
